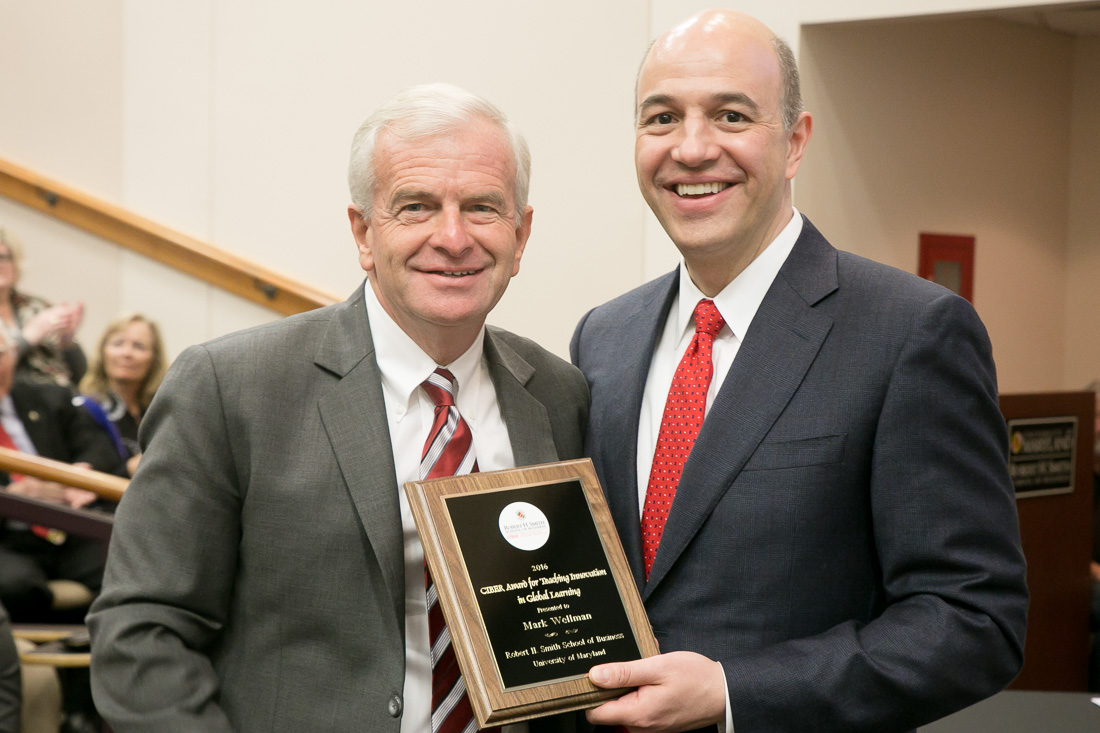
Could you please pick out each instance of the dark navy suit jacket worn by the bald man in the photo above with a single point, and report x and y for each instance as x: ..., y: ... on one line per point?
x: 844, y: 539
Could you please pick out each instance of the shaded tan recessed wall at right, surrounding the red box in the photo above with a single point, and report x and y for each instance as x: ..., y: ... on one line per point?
x: 952, y: 127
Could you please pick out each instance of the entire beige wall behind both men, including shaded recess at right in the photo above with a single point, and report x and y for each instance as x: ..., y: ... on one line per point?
x: 230, y: 121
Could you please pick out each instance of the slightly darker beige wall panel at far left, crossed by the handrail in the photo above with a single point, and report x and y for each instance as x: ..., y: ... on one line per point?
x: 62, y: 93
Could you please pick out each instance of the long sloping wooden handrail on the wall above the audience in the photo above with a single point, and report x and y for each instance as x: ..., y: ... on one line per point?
x: 185, y: 254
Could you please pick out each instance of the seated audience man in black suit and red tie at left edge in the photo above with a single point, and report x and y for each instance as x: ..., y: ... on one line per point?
x: 41, y: 420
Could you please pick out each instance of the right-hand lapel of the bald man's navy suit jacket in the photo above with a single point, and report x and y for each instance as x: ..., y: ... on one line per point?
x: 780, y: 346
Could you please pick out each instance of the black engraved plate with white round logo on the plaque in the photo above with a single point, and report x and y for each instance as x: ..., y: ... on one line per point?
x: 551, y: 614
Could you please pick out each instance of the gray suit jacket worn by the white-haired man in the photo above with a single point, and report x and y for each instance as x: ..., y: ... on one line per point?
x: 256, y: 576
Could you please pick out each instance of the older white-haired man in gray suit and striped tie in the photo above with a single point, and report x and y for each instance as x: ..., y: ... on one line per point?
x: 266, y: 573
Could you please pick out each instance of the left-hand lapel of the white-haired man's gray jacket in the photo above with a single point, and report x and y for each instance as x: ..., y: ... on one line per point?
x: 355, y: 418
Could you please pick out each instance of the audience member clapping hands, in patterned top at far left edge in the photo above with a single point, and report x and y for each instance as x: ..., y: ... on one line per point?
x: 42, y: 334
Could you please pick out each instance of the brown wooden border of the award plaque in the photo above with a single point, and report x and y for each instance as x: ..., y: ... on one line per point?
x: 493, y: 705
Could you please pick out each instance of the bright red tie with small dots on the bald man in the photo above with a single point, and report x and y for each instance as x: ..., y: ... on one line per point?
x: 680, y: 425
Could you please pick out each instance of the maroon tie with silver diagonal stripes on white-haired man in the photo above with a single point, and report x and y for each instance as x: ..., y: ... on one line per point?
x: 448, y: 452
